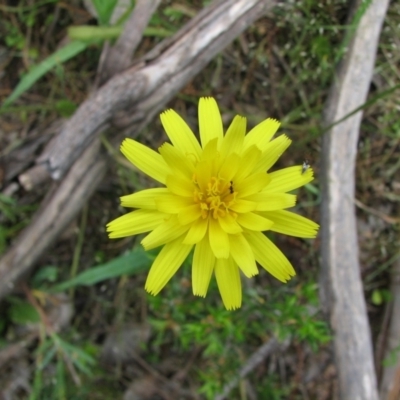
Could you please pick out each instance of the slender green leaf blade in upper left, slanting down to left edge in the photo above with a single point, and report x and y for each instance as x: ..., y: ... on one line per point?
x: 65, y: 53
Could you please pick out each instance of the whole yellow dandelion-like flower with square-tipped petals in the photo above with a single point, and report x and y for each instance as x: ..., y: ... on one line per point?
x: 217, y: 198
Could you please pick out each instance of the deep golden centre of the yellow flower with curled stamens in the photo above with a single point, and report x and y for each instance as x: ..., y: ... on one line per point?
x: 216, y: 200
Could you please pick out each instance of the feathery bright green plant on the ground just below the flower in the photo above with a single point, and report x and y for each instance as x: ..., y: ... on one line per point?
x: 286, y: 312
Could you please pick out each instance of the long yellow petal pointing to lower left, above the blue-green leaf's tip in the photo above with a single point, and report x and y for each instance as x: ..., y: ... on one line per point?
x: 170, y: 258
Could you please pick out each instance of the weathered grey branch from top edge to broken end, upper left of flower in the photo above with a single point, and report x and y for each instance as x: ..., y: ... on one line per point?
x: 134, y: 89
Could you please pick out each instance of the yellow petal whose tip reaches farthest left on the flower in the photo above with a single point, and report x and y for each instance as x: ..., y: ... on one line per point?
x: 135, y: 222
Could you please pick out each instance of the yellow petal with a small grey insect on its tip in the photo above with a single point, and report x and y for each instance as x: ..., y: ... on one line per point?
x: 290, y: 178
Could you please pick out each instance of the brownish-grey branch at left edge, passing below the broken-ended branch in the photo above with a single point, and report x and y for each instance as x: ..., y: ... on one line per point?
x: 57, y: 210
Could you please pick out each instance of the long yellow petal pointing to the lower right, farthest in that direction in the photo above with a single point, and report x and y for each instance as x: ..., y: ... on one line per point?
x: 269, y: 256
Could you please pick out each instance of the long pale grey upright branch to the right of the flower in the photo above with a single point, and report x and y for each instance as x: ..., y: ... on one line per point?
x: 341, y: 286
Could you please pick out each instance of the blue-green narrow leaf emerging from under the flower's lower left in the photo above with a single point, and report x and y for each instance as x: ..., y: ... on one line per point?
x: 132, y: 263
